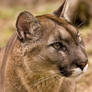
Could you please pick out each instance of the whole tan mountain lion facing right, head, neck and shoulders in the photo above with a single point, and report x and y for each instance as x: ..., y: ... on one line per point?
x: 43, y: 52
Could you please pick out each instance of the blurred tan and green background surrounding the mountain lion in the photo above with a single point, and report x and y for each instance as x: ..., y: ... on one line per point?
x: 9, y: 10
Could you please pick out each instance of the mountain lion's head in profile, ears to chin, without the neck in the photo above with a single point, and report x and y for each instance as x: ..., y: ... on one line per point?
x: 52, y: 43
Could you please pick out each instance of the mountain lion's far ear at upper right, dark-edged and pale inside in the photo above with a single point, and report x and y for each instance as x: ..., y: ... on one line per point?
x: 68, y: 10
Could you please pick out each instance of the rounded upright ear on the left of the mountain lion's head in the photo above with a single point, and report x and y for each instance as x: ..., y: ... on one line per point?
x: 27, y: 26
